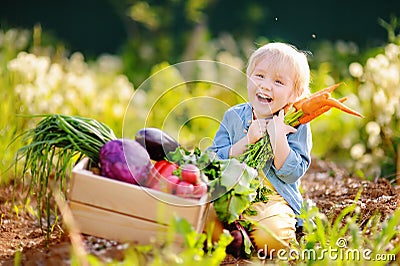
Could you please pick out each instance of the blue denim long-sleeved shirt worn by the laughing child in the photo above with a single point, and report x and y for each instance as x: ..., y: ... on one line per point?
x: 286, y: 181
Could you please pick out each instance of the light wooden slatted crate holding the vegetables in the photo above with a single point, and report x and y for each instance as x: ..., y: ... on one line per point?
x: 124, y: 212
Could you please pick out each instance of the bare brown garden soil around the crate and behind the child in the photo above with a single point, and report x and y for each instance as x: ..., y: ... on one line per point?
x: 331, y: 188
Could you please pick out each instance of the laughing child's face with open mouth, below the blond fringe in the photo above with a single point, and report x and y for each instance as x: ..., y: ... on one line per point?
x: 270, y: 88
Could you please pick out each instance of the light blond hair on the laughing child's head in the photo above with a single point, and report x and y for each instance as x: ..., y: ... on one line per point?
x: 283, y: 54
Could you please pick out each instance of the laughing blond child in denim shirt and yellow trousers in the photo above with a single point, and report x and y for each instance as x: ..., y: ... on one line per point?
x: 277, y: 75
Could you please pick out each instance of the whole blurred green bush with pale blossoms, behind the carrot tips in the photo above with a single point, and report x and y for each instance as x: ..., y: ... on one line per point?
x: 372, y: 81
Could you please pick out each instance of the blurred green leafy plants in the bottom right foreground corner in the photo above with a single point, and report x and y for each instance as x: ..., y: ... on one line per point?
x: 347, y: 239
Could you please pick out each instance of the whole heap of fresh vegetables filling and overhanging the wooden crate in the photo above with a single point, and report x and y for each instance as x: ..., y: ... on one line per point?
x: 153, y: 159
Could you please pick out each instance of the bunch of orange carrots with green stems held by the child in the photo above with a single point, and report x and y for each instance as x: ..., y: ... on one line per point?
x: 301, y: 112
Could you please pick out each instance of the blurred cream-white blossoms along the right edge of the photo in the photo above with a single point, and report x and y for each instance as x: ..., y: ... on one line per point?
x: 377, y: 151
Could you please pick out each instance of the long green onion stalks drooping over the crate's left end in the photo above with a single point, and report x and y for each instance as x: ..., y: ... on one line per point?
x: 53, y: 145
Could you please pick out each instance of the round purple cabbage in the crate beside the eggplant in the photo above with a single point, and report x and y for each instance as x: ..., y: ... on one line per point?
x: 125, y: 160
